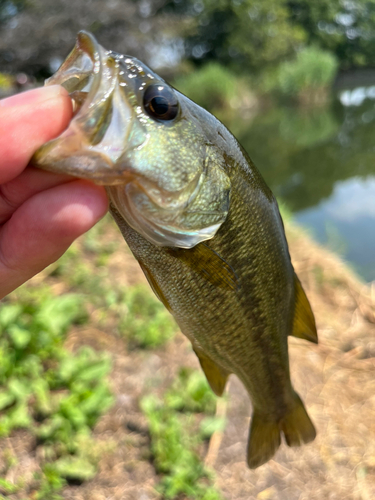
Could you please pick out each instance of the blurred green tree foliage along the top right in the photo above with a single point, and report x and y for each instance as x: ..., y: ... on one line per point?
x: 250, y: 35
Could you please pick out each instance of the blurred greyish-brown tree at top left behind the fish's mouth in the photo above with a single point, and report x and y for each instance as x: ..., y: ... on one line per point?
x: 36, y: 38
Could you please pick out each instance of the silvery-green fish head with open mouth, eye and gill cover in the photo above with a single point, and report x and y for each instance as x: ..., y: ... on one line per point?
x: 149, y: 144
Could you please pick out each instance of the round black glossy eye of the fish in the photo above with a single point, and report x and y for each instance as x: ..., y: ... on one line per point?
x: 160, y: 102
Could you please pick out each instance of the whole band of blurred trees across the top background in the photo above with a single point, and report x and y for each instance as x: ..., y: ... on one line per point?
x: 246, y: 35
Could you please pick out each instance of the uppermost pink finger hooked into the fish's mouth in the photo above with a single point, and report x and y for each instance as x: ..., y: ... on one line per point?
x: 27, y: 121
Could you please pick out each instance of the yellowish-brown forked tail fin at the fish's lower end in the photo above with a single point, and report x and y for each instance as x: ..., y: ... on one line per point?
x: 264, y: 439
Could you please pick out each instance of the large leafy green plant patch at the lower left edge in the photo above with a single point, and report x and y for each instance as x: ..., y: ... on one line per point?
x: 58, y: 396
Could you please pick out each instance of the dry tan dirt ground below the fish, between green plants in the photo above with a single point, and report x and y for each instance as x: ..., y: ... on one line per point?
x: 335, y: 379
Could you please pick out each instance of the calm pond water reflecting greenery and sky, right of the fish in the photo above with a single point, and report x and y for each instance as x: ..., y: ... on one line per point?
x: 321, y: 163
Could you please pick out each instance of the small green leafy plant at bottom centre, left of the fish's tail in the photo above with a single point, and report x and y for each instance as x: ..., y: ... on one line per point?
x: 175, y: 437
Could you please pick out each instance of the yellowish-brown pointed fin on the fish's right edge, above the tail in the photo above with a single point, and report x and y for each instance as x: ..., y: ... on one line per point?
x: 304, y: 326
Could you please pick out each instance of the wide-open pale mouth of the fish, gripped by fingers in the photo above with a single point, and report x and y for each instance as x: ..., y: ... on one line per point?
x: 95, y: 143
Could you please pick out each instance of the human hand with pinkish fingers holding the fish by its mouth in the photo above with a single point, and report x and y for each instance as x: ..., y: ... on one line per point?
x: 41, y: 213
